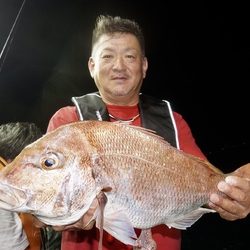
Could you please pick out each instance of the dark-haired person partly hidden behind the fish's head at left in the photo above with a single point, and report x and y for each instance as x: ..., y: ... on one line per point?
x: 13, y: 138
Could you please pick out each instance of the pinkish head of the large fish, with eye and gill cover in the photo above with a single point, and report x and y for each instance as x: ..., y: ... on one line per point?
x: 51, y: 179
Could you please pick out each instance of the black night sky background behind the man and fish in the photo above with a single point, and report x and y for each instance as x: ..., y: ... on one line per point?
x: 198, y: 56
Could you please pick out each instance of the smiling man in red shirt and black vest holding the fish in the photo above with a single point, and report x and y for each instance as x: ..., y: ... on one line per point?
x: 118, y: 66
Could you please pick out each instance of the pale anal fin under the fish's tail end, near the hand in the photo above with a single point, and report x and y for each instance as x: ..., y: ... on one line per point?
x: 188, y: 220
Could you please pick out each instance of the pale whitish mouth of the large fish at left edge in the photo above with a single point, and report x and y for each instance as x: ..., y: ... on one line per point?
x: 11, y: 198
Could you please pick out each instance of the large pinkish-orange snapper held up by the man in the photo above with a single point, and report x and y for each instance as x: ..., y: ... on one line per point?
x: 147, y: 182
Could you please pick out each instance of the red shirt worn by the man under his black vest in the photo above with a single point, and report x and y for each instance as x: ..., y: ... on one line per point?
x: 88, y: 240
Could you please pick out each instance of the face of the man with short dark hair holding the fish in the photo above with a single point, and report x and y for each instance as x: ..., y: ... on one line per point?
x: 118, y: 66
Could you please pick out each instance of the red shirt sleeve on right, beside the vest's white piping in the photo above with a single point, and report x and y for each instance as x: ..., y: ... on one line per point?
x: 186, y: 140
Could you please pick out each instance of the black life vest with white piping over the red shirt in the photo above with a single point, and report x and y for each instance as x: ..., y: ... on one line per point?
x: 156, y: 114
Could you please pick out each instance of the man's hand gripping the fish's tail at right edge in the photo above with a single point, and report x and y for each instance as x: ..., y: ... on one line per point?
x: 235, y: 204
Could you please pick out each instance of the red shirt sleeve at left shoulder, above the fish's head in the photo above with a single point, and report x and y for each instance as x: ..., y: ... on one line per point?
x: 63, y: 116
